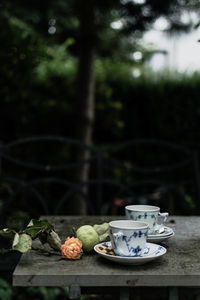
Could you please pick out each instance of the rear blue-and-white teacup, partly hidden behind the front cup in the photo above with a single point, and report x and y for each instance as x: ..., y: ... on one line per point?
x: 146, y: 213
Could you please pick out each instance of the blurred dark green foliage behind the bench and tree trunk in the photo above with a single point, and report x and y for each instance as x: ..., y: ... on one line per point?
x: 40, y: 78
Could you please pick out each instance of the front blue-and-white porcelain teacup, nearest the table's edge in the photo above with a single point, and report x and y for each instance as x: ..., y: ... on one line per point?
x: 128, y: 238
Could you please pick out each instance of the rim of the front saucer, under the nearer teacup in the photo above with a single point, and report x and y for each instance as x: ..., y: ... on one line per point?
x: 125, y: 258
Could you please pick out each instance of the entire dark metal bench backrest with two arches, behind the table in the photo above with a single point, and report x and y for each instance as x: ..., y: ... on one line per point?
x: 36, y: 177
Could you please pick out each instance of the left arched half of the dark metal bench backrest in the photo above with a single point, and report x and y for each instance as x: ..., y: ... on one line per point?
x: 37, y: 174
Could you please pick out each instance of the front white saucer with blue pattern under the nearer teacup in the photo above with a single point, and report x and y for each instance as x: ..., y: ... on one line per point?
x: 154, y: 252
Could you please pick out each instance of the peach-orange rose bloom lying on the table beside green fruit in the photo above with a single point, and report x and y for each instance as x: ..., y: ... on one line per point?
x: 72, y: 248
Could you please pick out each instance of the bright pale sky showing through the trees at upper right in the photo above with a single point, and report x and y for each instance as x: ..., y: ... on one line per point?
x: 183, y: 50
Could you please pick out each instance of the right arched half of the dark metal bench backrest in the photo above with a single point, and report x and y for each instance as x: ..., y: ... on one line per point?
x: 158, y: 172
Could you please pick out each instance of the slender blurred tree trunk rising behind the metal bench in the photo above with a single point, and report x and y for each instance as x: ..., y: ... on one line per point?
x: 85, y: 97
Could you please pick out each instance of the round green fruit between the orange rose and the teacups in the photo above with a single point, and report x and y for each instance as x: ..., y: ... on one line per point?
x: 88, y: 236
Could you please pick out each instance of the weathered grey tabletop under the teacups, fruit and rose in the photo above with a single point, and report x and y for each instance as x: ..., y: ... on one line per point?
x: 180, y: 266
